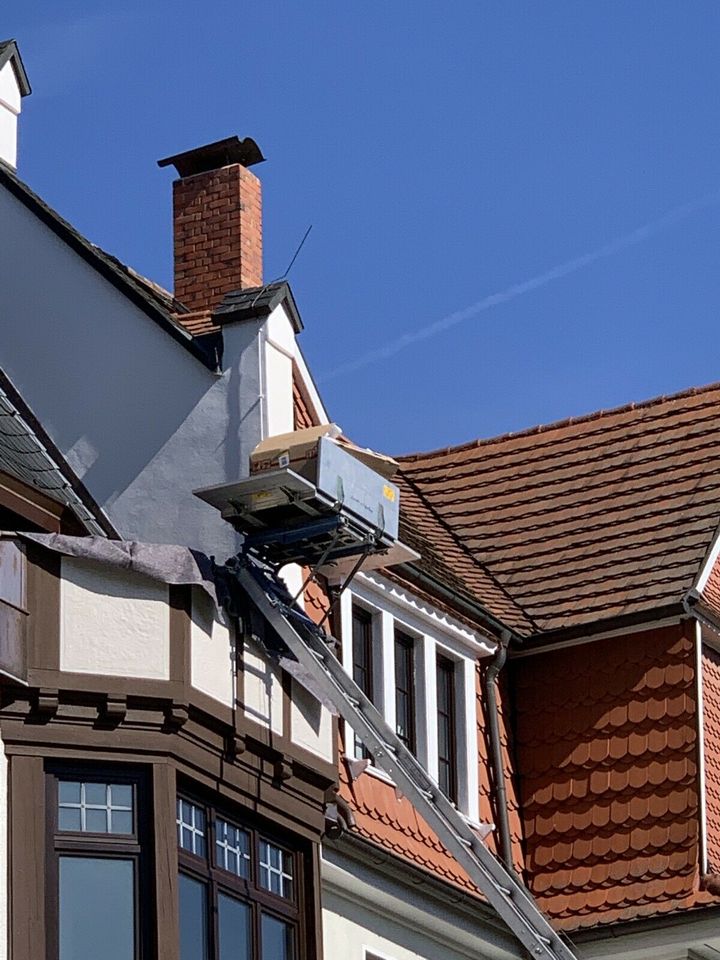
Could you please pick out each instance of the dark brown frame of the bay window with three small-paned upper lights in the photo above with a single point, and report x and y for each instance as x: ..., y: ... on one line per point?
x: 293, y: 911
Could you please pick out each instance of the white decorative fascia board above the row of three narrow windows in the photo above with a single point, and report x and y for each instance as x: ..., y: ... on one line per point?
x: 419, y: 614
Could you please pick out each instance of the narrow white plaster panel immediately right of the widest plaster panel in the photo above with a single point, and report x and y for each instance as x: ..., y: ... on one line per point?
x: 212, y: 659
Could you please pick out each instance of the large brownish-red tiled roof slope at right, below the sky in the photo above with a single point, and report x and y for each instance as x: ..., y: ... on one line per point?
x: 591, y: 518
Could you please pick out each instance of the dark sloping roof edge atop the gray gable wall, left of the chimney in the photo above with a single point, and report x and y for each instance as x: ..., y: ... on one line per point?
x: 106, y: 265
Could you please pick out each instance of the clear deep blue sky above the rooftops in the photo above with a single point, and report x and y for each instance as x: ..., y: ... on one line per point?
x: 444, y: 153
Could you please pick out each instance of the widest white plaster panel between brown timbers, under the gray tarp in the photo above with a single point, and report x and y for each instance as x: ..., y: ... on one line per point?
x: 113, y: 622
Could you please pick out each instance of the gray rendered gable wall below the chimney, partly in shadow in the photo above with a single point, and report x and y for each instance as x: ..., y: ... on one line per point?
x: 138, y: 417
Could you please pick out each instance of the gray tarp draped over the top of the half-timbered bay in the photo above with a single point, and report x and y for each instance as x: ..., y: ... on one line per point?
x: 172, y: 564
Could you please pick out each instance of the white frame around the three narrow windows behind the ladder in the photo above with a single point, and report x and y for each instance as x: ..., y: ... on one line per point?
x: 436, y: 633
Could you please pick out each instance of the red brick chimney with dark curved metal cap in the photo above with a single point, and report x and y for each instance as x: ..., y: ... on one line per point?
x: 217, y: 222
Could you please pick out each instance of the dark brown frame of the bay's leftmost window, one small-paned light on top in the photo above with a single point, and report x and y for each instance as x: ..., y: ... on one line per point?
x: 136, y: 847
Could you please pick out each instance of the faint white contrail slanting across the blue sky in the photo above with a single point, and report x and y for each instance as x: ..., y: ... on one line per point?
x: 526, y: 286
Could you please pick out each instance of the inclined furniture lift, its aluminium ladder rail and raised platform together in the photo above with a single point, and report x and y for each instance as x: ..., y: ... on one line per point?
x: 316, y: 517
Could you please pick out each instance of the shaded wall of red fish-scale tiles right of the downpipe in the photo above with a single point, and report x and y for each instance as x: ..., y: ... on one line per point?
x: 606, y: 748
